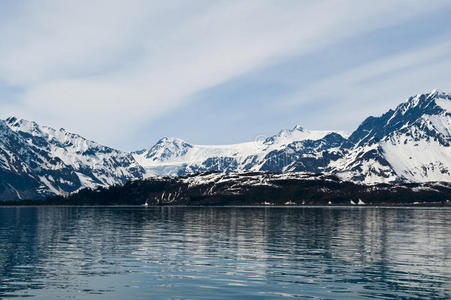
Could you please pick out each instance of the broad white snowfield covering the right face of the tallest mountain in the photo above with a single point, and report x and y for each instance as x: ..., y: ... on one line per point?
x: 420, y: 151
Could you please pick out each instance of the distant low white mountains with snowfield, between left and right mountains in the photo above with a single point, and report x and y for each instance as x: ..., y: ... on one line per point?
x: 171, y: 156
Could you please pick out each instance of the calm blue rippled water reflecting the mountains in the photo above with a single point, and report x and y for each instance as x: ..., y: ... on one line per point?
x: 194, y: 253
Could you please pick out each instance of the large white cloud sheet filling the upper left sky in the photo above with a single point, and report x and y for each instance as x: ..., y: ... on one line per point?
x: 120, y: 64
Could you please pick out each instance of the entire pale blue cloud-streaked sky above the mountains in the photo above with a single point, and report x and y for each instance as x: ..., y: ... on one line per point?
x: 127, y: 73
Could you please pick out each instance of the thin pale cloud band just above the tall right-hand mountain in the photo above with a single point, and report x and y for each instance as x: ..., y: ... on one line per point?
x: 374, y: 87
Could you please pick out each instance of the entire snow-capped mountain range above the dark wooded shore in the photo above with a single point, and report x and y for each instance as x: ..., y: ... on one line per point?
x: 410, y: 143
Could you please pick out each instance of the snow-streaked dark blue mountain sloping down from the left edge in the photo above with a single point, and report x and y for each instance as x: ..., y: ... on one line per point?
x: 57, y: 162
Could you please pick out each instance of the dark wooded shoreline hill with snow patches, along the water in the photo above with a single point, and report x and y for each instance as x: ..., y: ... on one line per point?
x: 237, y: 190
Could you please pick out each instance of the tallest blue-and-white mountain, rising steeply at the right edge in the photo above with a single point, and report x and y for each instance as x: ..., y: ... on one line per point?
x: 409, y: 143
